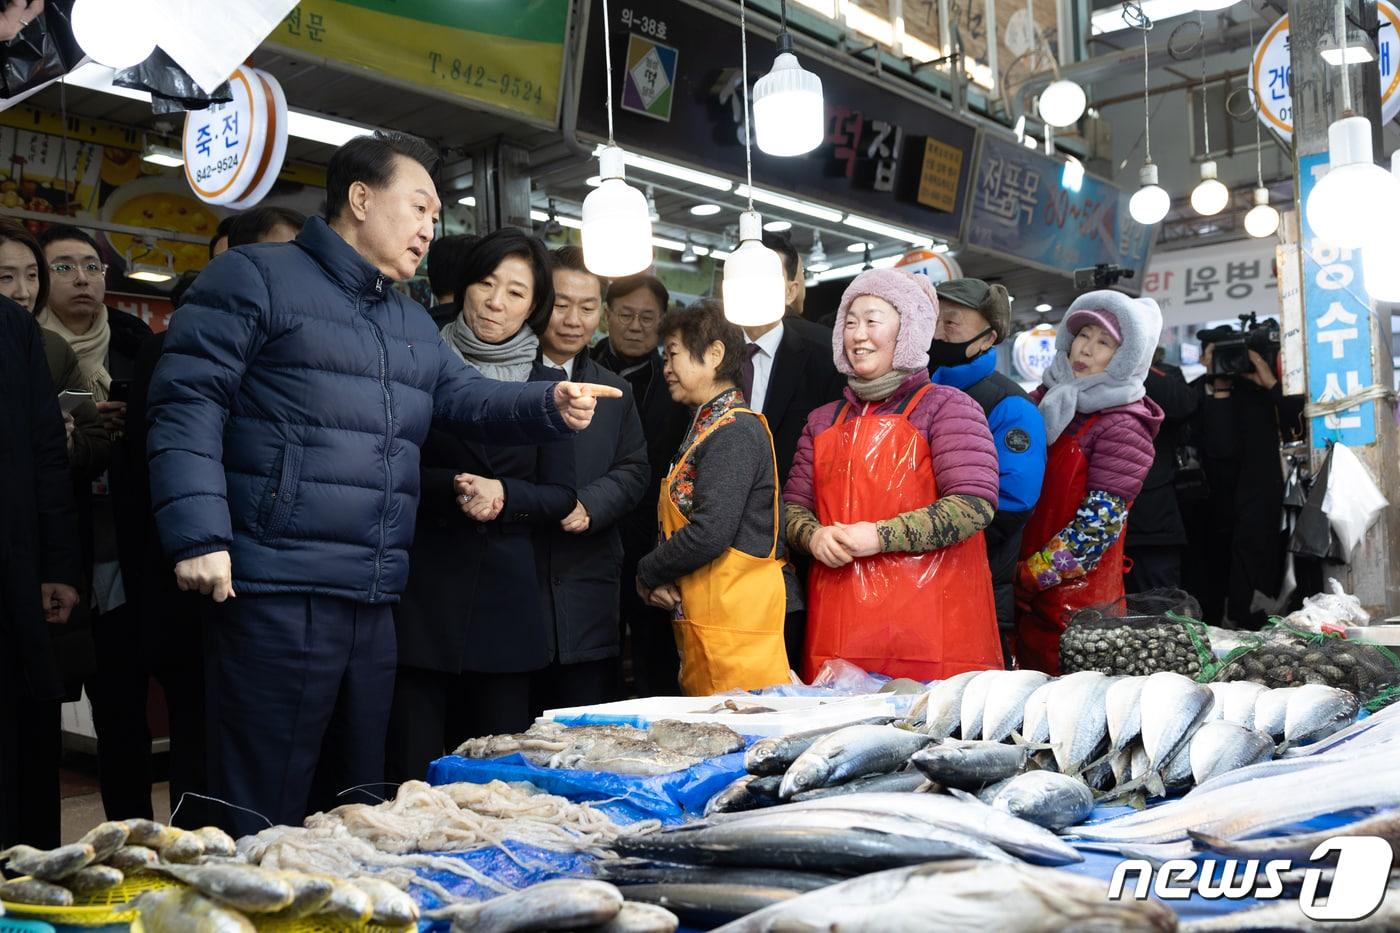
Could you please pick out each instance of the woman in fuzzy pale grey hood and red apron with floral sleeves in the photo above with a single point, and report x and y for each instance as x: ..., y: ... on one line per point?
x: 1100, y: 427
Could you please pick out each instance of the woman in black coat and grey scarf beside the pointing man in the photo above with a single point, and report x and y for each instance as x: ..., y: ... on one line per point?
x: 474, y: 623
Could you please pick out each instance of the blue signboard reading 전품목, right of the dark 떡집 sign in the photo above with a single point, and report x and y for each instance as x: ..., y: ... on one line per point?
x: 1020, y: 209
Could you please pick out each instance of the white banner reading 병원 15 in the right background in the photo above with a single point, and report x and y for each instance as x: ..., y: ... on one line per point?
x: 1214, y: 284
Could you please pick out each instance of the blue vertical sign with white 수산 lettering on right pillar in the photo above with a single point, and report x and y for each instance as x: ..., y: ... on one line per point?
x: 1338, y: 315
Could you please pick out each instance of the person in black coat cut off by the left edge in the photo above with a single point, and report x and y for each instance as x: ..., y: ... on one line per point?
x: 38, y: 575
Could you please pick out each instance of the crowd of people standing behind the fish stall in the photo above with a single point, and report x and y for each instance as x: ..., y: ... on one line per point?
x: 346, y: 533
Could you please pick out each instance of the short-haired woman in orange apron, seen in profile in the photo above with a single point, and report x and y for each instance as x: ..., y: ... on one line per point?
x: 717, y: 567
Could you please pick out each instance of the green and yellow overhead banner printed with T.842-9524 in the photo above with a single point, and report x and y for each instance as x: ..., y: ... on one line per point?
x: 505, y: 55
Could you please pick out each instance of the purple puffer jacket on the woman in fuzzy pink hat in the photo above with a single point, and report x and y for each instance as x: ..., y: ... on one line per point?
x: 964, y: 455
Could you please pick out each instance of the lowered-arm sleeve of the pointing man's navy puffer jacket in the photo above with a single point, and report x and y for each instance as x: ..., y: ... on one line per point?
x: 219, y: 330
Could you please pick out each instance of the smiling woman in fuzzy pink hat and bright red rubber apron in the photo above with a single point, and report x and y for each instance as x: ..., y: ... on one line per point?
x: 890, y: 492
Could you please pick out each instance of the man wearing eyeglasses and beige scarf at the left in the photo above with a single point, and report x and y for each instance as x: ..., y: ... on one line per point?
x: 107, y: 343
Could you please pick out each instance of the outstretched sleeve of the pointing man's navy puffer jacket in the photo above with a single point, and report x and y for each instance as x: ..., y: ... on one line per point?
x: 495, y: 413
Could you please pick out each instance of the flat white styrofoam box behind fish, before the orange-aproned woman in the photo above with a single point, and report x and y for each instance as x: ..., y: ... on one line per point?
x: 790, y: 714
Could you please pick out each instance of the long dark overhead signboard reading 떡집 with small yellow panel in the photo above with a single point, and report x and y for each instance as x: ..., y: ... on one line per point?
x: 884, y: 155
